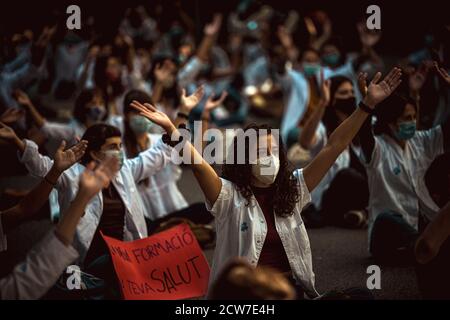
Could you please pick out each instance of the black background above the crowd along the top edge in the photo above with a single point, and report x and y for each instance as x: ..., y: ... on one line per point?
x: 404, y: 23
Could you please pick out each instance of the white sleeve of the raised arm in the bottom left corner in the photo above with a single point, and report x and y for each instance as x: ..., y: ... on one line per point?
x: 40, y: 270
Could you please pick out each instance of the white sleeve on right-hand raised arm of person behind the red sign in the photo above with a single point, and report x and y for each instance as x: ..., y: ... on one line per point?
x: 150, y: 161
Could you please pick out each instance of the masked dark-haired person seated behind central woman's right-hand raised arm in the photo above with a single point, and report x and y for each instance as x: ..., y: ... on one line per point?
x: 342, y: 196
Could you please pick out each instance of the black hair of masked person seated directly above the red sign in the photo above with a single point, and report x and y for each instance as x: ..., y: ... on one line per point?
x: 96, y: 135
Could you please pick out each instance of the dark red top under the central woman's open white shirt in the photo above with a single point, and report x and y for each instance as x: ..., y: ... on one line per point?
x: 273, y: 254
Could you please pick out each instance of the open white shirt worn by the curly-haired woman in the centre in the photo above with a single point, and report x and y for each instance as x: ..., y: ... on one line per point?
x: 241, y: 232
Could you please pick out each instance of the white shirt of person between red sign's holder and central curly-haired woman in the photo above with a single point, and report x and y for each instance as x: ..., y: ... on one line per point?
x: 160, y: 192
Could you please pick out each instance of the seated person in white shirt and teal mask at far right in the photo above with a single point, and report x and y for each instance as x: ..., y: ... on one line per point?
x: 396, y: 159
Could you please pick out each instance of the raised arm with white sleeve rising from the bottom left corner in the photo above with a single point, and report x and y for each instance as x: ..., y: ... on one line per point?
x: 46, y: 261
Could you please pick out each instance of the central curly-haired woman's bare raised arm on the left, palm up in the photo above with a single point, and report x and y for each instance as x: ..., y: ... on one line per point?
x: 208, y: 179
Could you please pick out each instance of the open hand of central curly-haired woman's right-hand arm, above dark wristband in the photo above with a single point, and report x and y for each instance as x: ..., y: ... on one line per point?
x: 378, y: 91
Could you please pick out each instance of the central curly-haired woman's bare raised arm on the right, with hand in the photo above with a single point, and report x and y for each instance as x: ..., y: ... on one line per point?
x: 344, y: 134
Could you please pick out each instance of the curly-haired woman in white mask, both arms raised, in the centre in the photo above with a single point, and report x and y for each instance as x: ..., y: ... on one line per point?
x: 257, y: 202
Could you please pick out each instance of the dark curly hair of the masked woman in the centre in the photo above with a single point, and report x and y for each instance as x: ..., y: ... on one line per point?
x: 285, y: 185
